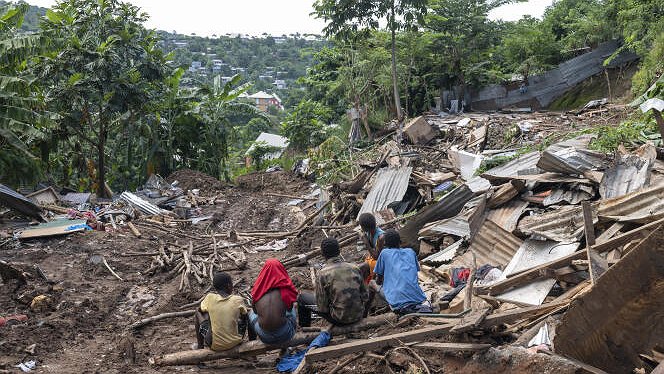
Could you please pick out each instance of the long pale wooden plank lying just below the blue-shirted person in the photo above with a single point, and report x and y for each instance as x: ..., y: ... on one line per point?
x: 377, y: 343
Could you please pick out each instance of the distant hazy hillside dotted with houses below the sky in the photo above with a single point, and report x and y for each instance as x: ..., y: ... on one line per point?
x: 271, y: 63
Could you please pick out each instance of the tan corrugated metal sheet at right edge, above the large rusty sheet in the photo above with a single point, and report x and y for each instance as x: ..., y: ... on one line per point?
x: 640, y: 206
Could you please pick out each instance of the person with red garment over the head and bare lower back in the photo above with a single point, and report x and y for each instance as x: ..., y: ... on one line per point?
x: 273, y: 318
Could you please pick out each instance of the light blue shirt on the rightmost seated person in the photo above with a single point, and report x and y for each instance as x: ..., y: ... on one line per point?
x: 399, y: 269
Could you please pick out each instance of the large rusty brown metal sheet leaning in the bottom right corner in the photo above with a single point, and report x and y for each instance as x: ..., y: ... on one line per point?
x: 621, y: 316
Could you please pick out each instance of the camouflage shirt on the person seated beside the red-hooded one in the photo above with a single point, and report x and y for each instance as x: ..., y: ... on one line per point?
x: 340, y: 291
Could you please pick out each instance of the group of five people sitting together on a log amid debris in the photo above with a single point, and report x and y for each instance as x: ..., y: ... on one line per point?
x: 343, y: 293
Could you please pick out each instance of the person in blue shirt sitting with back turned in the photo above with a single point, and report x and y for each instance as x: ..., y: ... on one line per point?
x: 396, y: 277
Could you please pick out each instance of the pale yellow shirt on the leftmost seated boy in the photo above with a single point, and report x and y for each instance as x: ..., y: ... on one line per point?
x: 224, y: 314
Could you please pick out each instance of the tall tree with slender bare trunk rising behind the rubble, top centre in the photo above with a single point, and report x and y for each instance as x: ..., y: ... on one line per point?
x: 346, y: 18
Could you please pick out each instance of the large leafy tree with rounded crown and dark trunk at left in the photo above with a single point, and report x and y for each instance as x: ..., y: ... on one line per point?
x: 105, y: 71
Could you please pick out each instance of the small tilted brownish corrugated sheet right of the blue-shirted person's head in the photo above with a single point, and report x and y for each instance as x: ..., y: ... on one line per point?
x: 492, y: 245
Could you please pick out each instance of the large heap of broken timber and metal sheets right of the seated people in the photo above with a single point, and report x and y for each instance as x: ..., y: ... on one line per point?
x: 557, y: 247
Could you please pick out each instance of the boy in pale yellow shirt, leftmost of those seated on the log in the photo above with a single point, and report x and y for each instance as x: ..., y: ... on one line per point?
x: 221, y: 319
